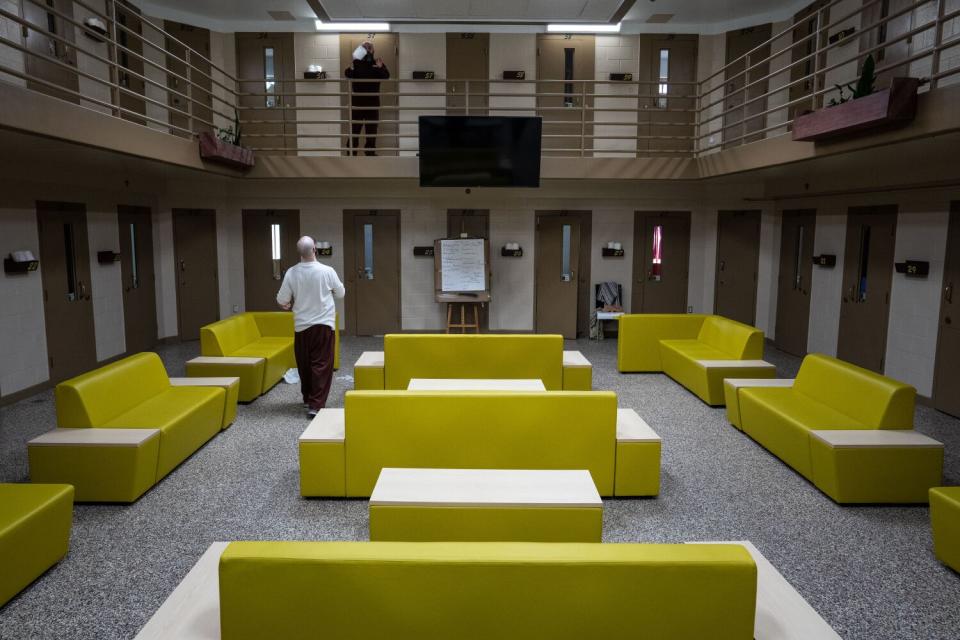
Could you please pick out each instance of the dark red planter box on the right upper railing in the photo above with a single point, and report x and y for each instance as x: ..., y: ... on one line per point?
x: 894, y: 106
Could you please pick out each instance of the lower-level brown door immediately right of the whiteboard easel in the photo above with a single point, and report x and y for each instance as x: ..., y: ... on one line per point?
x: 557, y: 263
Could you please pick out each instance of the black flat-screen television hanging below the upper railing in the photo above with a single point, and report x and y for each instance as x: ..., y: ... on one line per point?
x: 479, y: 151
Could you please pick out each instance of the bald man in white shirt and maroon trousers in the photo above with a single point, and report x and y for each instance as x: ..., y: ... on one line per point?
x: 309, y: 289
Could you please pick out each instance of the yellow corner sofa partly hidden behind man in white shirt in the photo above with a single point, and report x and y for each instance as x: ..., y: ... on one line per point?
x: 255, y: 346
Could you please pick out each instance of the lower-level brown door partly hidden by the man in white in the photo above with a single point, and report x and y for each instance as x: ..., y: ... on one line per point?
x: 269, y: 249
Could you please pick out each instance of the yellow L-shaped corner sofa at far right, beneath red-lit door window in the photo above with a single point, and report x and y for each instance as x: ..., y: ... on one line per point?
x: 698, y: 351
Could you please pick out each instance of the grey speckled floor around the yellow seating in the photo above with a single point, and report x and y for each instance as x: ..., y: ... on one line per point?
x: 869, y: 571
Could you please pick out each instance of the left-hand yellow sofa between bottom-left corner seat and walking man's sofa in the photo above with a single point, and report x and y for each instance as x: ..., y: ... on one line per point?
x: 128, y: 395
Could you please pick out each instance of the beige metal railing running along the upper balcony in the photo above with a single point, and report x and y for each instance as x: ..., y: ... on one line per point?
x: 148, y: 76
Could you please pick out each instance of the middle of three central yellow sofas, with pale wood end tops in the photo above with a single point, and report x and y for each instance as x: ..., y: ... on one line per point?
x: 343, y: 450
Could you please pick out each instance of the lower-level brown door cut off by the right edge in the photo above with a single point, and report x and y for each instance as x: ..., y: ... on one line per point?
x: 946, y: 378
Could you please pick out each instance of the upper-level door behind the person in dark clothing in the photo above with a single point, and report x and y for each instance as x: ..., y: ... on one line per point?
x: 386, y: 46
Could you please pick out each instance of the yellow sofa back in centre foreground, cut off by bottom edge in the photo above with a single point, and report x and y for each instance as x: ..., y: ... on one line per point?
x: 484, y: 590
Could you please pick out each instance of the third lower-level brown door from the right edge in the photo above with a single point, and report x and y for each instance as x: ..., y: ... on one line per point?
x: 793, y: 290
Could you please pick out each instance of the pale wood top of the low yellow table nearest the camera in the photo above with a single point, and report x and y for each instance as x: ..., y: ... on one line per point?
x: 485, y: 488
